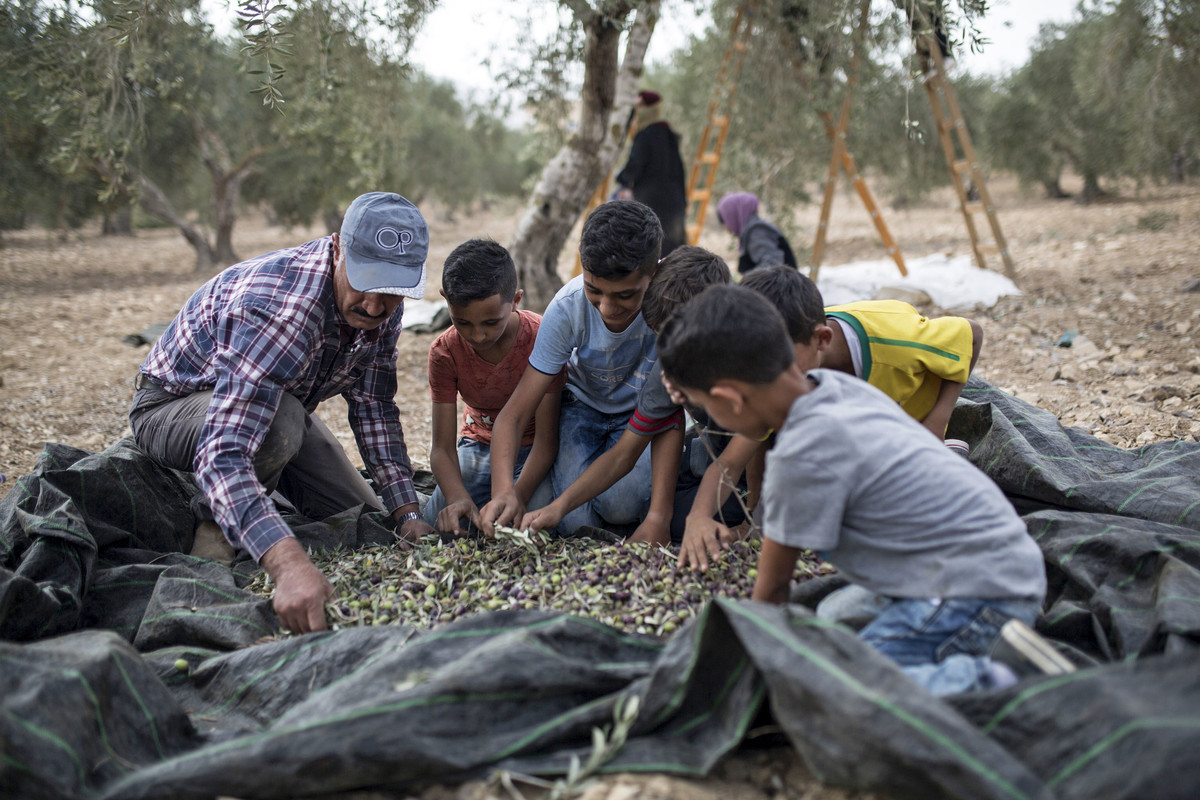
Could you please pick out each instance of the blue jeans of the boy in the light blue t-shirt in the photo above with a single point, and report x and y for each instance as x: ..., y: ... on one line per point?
x: 584, y: 436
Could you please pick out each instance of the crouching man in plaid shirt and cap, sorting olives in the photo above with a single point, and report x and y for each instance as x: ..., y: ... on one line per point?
x: 229, y: 392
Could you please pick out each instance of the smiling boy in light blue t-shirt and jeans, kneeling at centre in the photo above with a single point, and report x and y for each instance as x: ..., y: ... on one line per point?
x: 595, y: 328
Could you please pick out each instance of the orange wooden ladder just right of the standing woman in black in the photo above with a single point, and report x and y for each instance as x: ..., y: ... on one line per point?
x: 717, y: 128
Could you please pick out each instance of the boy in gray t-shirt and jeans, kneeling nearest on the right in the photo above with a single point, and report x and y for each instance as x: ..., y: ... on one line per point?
x: 856, y: 479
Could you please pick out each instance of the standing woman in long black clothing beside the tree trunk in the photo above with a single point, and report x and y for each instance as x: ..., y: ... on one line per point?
x: 655, y: 172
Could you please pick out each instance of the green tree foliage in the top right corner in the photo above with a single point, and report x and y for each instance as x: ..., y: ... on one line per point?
x: 1111, y: 94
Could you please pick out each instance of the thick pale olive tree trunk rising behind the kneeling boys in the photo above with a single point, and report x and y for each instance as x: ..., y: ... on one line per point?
x: 573, y: 175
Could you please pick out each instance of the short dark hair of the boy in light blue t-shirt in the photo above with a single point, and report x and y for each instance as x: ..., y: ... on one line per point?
x: 621, y: 238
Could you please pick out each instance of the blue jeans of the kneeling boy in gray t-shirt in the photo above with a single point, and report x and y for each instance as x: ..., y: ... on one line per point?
x: 944, y: 645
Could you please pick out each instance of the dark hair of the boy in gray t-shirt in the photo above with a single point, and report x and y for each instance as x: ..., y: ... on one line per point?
x: 727, y: 333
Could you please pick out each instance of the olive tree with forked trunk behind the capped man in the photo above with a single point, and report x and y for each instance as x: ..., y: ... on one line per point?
x: 146, y: 94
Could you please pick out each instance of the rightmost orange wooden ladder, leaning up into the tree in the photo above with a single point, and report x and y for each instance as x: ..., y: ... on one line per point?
x: 961, y: 157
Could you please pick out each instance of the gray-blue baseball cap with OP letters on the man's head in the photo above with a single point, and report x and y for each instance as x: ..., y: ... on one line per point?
x: 387, y: 244
